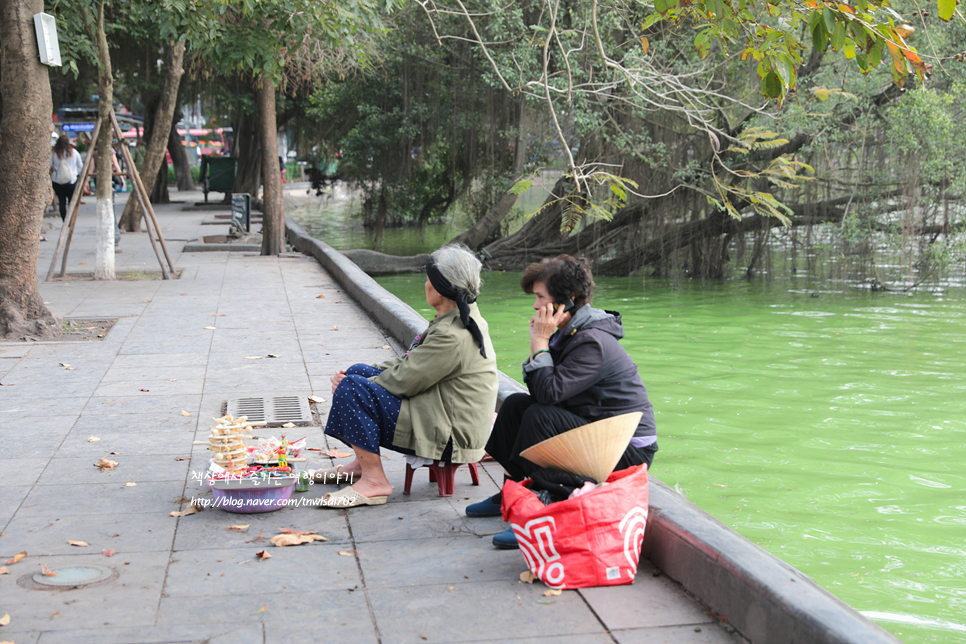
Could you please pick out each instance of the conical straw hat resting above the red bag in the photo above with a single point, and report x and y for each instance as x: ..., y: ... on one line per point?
x: 591, y: 450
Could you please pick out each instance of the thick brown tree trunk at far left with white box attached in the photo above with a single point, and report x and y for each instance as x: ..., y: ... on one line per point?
x: 25, y: 167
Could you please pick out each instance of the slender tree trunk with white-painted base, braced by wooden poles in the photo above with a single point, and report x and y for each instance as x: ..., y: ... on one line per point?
x: 104, y: 254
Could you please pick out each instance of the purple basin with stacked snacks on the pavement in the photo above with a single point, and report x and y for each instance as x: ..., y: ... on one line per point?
x: 250, y: 479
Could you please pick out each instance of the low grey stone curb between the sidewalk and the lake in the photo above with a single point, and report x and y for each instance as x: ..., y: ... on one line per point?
x: 764, y: 598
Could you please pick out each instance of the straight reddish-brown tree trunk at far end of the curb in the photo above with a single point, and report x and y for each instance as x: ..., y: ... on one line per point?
x: 273, y: 211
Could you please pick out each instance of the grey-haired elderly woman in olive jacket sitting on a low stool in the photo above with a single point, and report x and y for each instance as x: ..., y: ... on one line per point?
x: 435, y: 402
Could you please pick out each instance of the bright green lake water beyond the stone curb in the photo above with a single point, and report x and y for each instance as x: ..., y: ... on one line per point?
x: 830, y: 430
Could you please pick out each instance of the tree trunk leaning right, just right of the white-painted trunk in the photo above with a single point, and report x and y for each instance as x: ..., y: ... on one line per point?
x: 154, y: 155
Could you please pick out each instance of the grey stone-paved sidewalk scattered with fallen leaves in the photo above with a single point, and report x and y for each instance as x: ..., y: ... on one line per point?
x: 413, y: 570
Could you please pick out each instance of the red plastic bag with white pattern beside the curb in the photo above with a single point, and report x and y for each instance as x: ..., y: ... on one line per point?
x: 592, y: 540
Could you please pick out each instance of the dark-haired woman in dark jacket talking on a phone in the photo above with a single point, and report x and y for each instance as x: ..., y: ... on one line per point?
x: 577, y: 373
